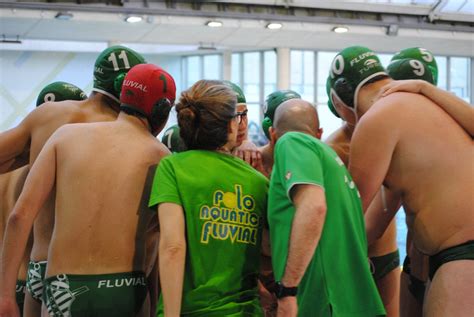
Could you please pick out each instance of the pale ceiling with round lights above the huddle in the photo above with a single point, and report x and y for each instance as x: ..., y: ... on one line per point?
x: 445, y: 27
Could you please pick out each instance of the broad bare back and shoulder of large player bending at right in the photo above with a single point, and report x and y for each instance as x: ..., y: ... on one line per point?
x: 429, y: 159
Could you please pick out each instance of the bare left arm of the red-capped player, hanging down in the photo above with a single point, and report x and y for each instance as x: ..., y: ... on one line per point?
x: 38, y: 185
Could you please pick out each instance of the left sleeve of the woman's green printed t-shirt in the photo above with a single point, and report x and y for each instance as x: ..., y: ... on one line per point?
x: 164, y: 189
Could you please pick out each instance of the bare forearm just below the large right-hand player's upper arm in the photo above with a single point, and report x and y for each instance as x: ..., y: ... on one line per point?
x: 380, y: 213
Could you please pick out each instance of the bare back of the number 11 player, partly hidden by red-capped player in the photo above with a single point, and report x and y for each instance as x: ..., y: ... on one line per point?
x: 42, y: 124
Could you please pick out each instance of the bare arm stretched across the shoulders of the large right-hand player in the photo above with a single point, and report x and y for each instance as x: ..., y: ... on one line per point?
x: 457, y: 108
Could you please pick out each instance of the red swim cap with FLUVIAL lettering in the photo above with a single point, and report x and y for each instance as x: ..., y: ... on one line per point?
x: 149, y: 91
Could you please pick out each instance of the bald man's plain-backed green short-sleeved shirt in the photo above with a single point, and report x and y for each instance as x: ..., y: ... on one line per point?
x: 337, y: 281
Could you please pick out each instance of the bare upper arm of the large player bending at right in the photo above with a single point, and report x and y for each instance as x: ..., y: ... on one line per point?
x: 372, y: 146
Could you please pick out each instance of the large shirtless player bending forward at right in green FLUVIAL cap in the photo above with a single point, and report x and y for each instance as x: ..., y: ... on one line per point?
x: 417, y: 150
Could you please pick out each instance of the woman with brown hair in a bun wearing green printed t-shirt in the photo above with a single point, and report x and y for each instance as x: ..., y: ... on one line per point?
x: 211, y: 207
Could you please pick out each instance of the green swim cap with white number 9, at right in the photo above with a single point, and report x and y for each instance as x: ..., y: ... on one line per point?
x: 409, y: 69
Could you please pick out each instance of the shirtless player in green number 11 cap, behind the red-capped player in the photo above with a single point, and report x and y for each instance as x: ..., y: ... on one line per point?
x: 29, y: 137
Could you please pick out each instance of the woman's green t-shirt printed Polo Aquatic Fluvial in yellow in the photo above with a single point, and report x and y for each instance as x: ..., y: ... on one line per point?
x: 224, y: 201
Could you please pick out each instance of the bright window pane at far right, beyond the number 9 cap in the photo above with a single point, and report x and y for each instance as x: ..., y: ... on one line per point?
x: 459, y: 77
